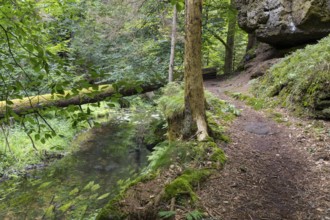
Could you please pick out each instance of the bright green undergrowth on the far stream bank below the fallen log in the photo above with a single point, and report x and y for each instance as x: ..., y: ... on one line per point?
x: 41, y: 139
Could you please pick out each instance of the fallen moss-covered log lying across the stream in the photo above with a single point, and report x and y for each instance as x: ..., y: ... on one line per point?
x: 95, y: 94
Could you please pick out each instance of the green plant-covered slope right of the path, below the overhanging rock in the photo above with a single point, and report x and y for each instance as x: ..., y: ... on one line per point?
x: 300, y: 81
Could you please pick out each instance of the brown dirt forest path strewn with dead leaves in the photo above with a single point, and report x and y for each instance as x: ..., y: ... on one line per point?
x: 275, y: 171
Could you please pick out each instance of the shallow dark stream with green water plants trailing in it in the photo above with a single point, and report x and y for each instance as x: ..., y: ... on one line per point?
x: 78, y: 185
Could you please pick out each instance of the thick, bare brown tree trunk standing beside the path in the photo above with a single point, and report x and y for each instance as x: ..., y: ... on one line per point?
x: 195, y: 119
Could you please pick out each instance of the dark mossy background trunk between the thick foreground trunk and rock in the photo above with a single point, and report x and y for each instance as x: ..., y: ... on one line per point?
x: 229, y: 58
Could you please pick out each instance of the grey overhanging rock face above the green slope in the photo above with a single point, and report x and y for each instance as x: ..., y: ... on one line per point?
x: 285, y: 23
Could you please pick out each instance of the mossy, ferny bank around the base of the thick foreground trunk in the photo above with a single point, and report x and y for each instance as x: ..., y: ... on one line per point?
x: 196, y: 160
